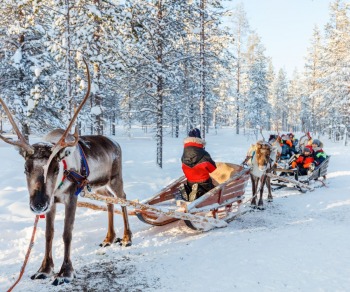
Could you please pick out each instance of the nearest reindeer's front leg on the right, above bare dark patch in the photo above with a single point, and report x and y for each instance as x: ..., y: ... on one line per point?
x: 66, y: 273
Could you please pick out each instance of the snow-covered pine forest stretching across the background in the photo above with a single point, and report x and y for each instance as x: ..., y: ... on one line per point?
x: 168, y: 66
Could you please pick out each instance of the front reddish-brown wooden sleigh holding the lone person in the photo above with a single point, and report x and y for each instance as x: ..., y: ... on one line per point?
x: 214, y: 209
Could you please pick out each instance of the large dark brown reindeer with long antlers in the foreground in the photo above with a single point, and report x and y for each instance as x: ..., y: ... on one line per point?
x: 88, y: 161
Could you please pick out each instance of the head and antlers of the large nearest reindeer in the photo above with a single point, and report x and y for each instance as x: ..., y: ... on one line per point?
x: 42, y: 159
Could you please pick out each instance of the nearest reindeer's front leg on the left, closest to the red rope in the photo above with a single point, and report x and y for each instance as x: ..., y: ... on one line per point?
x: 47, y: 266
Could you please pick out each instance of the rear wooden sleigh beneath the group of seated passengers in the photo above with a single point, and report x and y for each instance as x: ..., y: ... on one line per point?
x: 284, y: 177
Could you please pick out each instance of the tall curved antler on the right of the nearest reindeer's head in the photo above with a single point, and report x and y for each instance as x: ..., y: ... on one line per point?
x: 62, y: 143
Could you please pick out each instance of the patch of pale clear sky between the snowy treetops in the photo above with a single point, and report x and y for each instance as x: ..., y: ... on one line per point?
x: 285, y: 27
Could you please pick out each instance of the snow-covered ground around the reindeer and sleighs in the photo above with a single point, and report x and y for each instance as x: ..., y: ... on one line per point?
x: 299, y: 243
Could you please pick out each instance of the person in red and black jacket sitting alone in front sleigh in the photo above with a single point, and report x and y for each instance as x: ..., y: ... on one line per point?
x: 196, y: 165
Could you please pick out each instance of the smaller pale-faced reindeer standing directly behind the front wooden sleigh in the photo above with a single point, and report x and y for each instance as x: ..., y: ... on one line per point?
x: 263, y: 156
